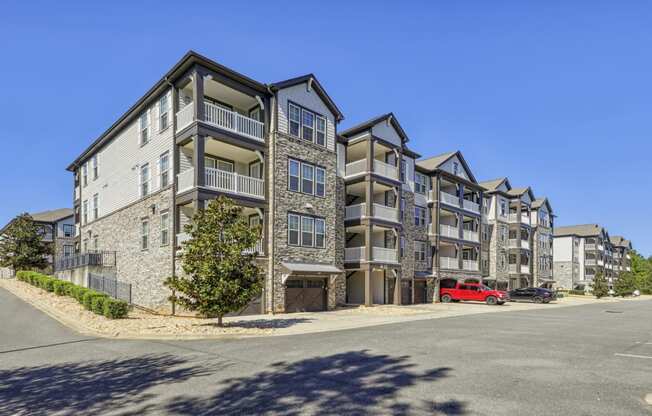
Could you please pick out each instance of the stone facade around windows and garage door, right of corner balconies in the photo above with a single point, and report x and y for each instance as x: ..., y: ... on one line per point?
x: 329, y: 208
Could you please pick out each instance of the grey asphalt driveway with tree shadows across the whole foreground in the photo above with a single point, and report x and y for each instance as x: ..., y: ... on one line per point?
x: 593, y: 359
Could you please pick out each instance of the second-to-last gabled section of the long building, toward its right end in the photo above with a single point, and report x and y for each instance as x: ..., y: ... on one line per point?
x: 509, y: 230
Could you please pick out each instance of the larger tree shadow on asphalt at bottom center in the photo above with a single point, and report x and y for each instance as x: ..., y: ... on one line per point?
x: 356, y: 382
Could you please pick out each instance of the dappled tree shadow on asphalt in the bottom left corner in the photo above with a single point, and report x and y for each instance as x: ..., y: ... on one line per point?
x: 90, y: 387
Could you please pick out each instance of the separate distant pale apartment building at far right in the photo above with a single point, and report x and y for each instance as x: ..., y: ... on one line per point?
x: 583, y: 251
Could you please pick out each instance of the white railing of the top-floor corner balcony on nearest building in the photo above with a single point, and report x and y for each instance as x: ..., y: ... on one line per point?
x: 224, y: 119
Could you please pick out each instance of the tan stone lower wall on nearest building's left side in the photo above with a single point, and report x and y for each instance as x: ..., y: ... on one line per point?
x: 144, y: 269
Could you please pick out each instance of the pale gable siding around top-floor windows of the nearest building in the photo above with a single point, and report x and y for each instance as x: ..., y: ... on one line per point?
x: 311, y: 101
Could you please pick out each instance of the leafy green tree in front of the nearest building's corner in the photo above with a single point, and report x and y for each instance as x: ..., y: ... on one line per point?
x: 221, y: 272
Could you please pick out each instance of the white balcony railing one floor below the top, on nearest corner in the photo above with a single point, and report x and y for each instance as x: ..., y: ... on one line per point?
x: 224, y: 181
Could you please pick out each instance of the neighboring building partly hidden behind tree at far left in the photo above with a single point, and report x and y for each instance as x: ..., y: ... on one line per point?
x: 58, y: 229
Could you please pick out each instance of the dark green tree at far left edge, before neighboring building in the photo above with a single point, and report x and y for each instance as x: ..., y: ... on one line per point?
x: 22, y: 246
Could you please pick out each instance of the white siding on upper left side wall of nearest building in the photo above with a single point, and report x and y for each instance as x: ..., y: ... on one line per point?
x: 120, y: 161
